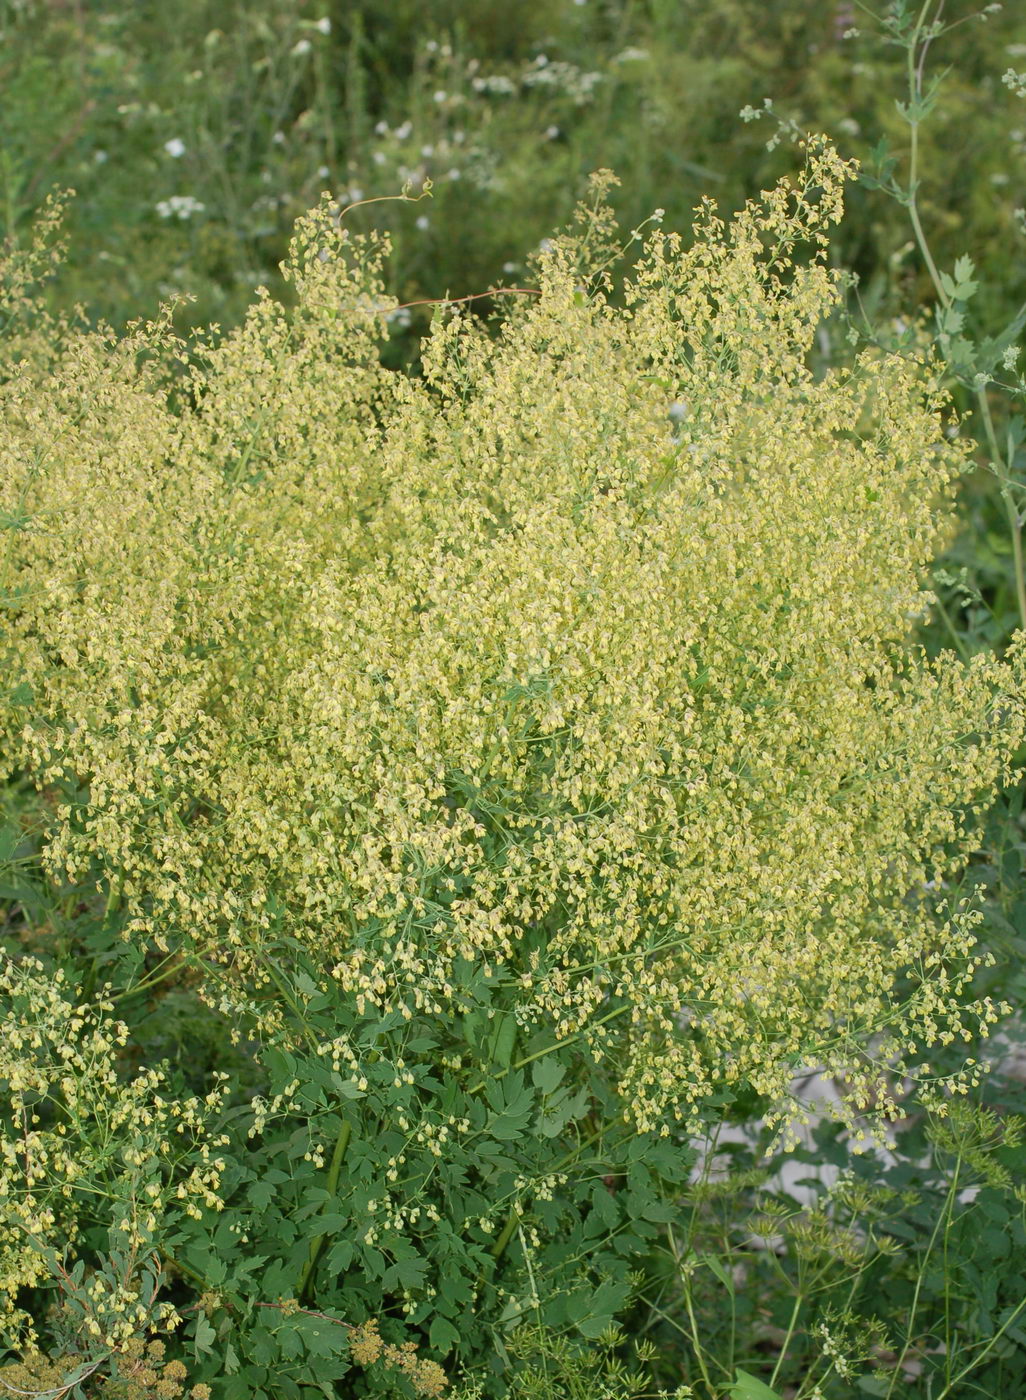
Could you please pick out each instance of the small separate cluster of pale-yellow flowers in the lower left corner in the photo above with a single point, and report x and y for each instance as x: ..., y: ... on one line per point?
x: 73, y: 1130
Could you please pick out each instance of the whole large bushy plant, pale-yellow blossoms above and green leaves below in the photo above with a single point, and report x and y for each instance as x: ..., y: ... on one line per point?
x: 527, y: 761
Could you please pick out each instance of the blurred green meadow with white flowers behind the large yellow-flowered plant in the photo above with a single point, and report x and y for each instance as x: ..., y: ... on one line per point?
x: 195, y: 134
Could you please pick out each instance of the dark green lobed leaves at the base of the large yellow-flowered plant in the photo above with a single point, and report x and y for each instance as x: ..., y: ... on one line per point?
x: 454, y: 1213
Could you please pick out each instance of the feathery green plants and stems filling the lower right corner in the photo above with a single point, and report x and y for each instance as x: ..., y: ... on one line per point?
x: 897, y: 1275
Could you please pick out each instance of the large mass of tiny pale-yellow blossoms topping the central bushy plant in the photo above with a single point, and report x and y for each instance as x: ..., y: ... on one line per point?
x: 584, y: 657
